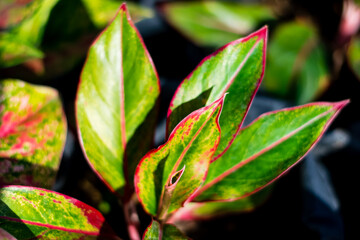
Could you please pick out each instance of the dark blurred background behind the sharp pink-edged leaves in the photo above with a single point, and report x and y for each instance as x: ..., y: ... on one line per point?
x: 316, y: 199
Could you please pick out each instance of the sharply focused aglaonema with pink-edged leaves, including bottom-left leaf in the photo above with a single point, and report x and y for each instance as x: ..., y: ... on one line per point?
x: 208, y: 156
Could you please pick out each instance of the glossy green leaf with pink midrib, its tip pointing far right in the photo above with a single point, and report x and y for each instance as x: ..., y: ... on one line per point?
x: 265, y: 150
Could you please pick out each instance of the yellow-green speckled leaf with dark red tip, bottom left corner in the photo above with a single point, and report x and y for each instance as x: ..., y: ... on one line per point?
x: 29, y: 213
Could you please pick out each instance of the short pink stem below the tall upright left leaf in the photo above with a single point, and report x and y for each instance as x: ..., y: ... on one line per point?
x: 132, y: 220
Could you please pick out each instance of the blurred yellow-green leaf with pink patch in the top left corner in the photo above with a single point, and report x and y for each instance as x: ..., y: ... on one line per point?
x: 21, y: 42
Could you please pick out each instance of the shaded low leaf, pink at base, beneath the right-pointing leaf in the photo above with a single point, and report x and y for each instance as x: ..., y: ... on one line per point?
x: 209, y: 210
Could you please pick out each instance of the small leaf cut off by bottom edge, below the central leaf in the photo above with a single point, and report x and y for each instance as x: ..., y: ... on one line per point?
x: 169, y: 232
